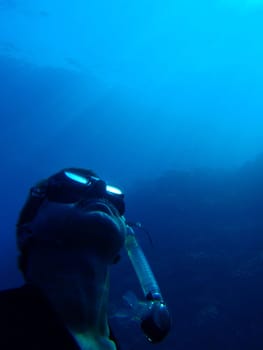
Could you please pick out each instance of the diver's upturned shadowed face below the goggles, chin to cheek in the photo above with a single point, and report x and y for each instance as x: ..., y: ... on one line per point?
x: 93, y: 226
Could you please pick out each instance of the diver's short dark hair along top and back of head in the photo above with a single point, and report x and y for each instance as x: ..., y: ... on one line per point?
x: 24, y: 235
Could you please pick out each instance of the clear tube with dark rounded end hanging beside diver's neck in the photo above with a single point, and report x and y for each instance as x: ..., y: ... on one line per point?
x: 155, y: 319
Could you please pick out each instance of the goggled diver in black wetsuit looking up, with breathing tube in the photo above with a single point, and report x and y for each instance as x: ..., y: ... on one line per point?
x: 69, y: 233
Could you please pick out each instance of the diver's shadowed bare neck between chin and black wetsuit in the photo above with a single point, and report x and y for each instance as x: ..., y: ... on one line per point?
x: 79, y: 294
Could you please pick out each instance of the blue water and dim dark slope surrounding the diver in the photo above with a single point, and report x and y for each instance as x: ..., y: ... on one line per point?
x: 164, y: 99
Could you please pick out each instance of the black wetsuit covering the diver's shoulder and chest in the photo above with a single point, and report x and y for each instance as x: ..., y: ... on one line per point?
x: 28, y: 322
